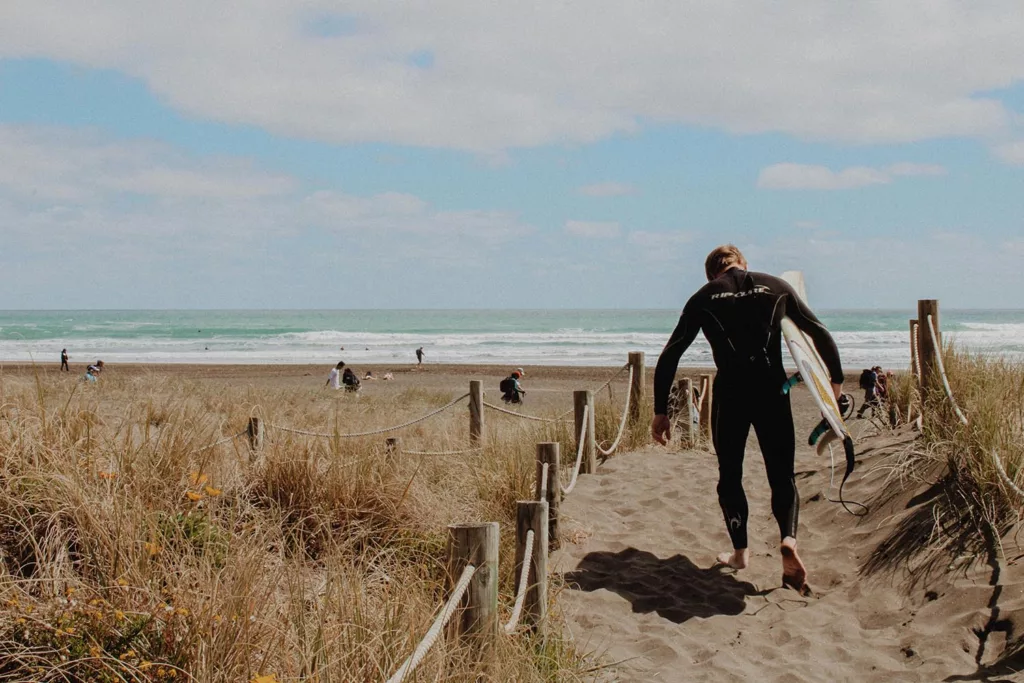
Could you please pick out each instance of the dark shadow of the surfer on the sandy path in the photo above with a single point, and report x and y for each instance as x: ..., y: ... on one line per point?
x: 675, y: 588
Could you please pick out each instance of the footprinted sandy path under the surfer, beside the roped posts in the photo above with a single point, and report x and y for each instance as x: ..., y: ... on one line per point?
x: 644, y: 534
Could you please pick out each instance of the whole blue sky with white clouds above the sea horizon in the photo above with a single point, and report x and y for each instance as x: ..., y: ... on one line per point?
x: 301, y: 154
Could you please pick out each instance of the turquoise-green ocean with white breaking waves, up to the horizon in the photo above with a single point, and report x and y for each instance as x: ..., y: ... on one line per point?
x: 376, y: 338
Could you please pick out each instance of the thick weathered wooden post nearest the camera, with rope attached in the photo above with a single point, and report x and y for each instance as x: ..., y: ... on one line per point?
x: 477, y: 545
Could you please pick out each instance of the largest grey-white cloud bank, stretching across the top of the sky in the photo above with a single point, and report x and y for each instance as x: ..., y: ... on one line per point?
x: 501, y: 75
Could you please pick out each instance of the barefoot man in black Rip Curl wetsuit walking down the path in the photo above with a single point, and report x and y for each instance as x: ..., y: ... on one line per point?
x: 741, y: 315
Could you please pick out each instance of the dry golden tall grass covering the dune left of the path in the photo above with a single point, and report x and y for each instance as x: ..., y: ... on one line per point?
x: 129, y: 553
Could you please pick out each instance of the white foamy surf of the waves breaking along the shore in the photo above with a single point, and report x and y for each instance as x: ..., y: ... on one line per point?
x: 137, y: 341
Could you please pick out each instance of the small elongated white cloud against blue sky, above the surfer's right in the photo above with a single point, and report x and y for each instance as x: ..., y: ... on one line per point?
x: 803, y: 177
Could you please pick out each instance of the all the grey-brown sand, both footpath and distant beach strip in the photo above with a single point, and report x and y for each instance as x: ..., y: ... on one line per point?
x: 639, y: 538
